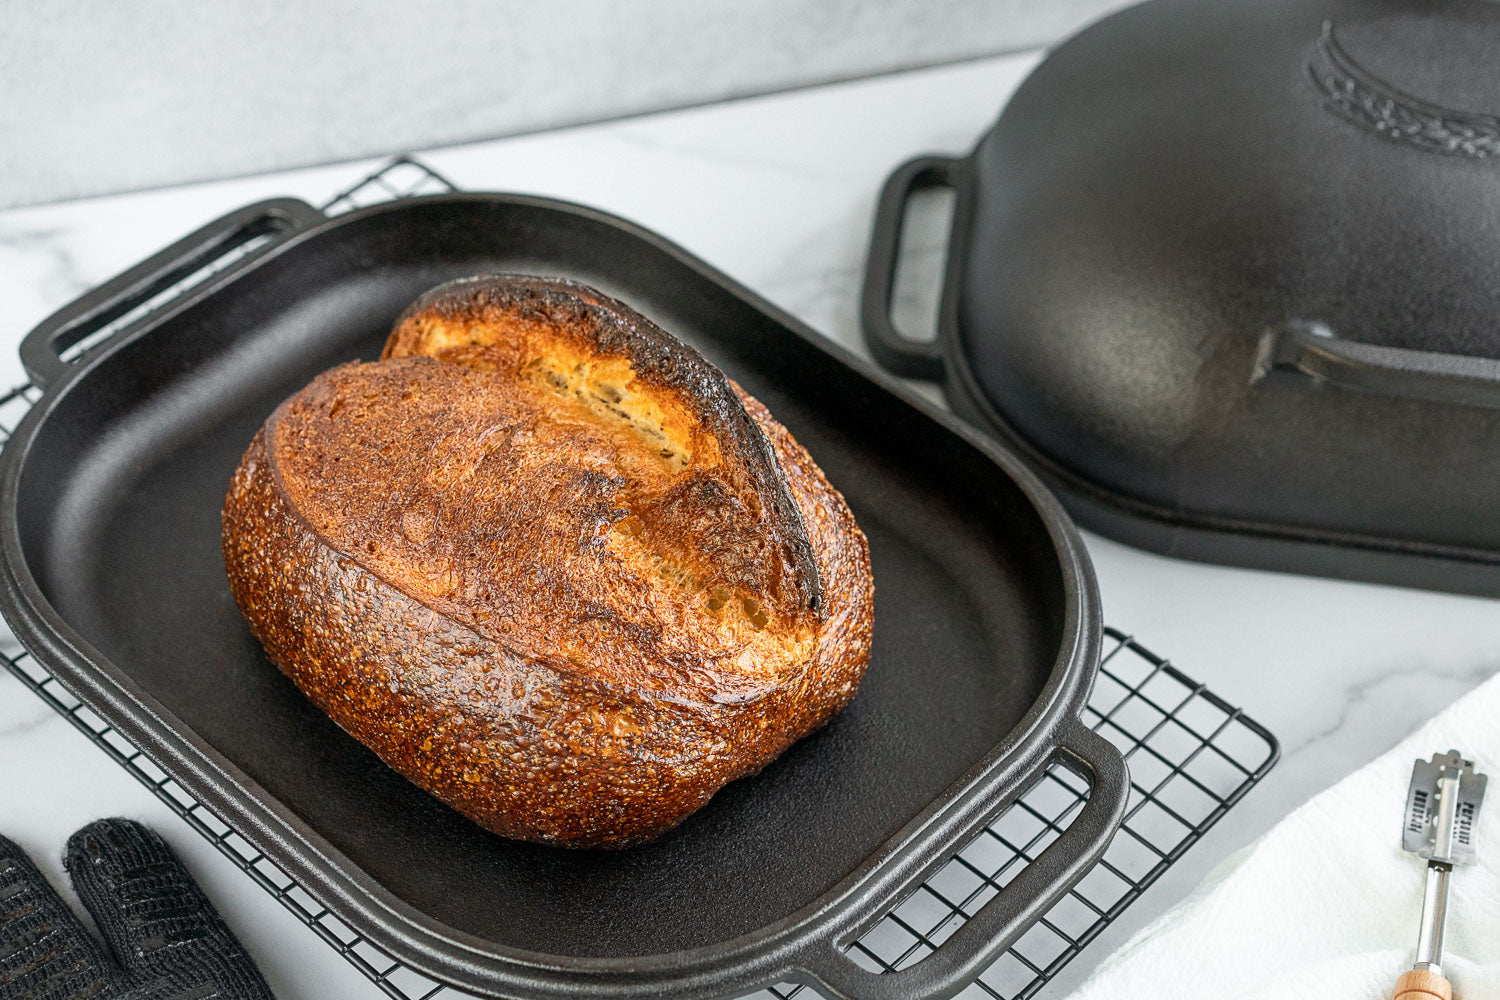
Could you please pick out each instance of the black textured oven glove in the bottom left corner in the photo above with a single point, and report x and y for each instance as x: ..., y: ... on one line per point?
x: 166, y: 941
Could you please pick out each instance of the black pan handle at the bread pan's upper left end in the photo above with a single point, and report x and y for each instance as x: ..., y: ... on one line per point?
x: 41, y: 350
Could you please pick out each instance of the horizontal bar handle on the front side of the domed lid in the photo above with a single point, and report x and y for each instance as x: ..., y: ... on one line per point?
x: 1427, y: 376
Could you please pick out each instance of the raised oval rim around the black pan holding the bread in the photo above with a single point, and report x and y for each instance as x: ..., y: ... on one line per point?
x: 469, y: 962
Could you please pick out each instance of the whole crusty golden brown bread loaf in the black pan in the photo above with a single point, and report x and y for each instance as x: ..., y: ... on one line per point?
x: 521, y: 599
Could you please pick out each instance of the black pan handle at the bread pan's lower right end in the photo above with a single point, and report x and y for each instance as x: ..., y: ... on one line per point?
x: 971, y: 950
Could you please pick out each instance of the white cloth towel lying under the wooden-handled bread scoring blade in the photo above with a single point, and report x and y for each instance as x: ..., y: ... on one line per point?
x: 1327, y: 905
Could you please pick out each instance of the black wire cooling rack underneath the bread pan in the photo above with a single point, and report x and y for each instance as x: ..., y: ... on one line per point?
x: 1192, y: 758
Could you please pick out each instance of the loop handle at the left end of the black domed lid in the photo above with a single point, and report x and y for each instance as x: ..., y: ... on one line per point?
x: 896, y: 353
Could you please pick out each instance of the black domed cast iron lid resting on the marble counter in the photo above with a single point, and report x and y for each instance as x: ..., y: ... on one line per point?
x: 1228, y: 274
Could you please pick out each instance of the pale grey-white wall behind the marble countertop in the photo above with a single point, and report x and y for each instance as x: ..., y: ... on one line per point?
x: 103, y: 95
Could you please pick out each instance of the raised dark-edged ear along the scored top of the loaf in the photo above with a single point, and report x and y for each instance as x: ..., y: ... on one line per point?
x: 704, y: 488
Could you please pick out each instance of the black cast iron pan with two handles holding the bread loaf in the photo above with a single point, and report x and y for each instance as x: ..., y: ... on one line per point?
x: 986, y: 636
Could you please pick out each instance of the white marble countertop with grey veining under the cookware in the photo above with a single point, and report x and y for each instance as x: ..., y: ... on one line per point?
x: 778, y: 193
